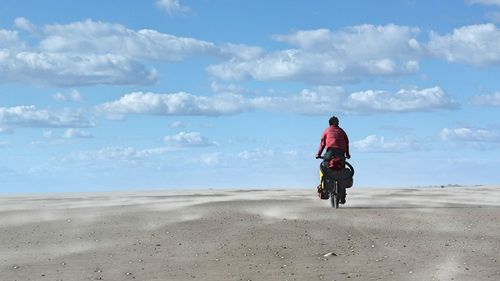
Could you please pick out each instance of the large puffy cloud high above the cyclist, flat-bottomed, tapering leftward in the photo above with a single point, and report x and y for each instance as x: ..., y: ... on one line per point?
x: 323, y: 56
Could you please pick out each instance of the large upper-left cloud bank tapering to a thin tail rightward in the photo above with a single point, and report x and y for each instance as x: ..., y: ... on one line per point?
x: 92, y: 52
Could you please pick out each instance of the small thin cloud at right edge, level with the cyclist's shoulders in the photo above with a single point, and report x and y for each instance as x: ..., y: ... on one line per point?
x: 470, y: 135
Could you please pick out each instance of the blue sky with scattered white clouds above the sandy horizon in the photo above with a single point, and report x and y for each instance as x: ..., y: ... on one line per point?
x: 119, y: 95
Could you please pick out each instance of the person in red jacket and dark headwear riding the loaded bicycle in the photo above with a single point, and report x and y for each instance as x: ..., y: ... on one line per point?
x: 336, y: 142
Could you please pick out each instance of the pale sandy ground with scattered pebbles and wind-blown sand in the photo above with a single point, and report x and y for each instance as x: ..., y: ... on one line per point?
x: 397, y: 234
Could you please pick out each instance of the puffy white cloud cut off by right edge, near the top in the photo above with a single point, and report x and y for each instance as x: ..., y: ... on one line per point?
x: 473, y: 44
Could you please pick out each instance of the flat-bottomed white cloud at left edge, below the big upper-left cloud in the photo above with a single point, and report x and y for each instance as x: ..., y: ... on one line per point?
x: 31, y: 117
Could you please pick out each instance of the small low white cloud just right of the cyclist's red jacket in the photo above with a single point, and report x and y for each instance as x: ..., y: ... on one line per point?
x: 374, y: 143
